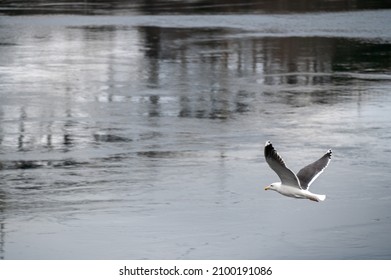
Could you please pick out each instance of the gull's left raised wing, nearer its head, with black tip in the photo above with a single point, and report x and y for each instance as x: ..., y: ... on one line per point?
x: 276, y: 163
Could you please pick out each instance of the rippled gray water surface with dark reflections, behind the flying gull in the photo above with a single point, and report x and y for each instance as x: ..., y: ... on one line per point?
x: 129, y: 133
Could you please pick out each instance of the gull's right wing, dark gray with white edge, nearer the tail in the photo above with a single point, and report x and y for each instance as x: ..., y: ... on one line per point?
x: 309, y: 173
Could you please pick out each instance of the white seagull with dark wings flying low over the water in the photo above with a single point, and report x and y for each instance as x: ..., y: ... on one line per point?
x: 295, y: 185
